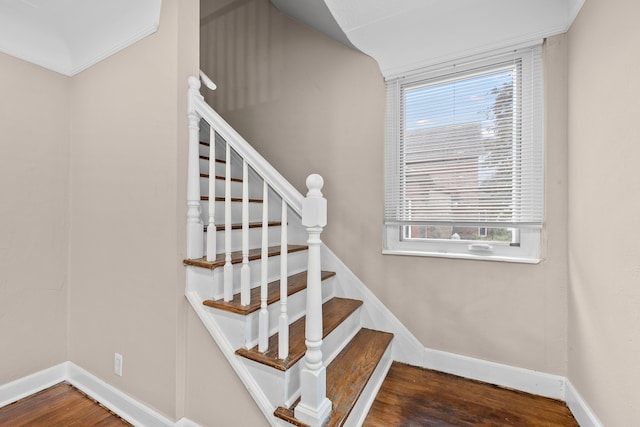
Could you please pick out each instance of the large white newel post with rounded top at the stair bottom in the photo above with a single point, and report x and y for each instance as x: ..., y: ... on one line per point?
x: 314, y: 407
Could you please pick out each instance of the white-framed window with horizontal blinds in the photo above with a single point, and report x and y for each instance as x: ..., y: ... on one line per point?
x: 464, y: 160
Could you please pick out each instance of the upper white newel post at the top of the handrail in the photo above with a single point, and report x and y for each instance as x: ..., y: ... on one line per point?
x: 195, y: 227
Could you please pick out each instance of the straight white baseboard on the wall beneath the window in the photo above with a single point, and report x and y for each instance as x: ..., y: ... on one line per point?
x: 526, y: 380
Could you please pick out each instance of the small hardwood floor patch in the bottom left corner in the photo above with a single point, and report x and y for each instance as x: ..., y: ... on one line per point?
x: 60, y: 405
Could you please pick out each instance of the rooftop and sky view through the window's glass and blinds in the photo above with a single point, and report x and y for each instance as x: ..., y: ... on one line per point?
x: 460, y: 155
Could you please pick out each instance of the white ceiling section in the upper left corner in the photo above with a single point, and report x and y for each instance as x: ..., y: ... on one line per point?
x: 68, y: 36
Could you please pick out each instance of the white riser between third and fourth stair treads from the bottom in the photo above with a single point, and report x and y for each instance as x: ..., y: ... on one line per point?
x: 210, y: 283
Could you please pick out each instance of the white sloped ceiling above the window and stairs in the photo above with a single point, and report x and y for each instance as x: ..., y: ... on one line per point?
x: 408, y: 34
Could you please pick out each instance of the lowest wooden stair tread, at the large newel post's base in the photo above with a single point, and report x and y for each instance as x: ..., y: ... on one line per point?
x: 347, y: 376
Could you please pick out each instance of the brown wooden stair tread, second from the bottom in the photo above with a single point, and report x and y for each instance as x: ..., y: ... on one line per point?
x: 334, y: 312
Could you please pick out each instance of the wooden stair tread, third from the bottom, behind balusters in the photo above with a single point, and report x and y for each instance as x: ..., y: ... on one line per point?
x: 295, y: 283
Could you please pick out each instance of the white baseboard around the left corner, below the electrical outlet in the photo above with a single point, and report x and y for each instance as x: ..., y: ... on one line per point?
x: 115, y: 400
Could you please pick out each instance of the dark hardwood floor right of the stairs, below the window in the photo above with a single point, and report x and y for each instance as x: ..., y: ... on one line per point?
x: 412, y: 397
